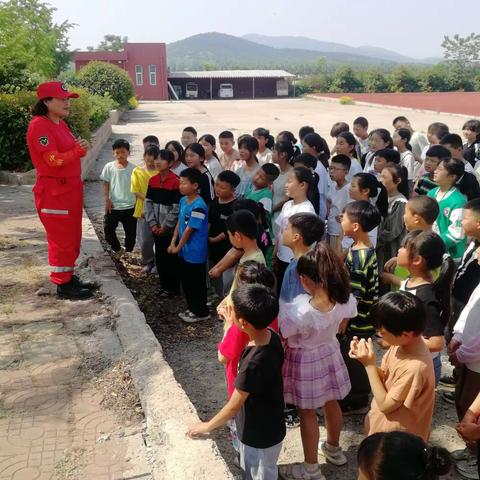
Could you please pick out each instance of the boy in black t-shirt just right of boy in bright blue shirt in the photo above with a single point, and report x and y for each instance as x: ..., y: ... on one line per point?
x: 218, y: 244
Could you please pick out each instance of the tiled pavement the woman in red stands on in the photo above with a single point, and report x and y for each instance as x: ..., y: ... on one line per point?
x: 52, y: 423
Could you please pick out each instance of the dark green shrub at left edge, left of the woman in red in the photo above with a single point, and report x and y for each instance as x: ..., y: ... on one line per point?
x: 15, y: 114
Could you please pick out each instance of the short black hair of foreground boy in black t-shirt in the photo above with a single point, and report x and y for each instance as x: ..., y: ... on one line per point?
x: 256, y: 304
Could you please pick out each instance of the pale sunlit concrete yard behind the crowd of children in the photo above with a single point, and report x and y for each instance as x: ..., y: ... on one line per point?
x: 167, y: 119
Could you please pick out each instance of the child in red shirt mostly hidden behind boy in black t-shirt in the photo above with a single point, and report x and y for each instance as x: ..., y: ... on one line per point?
x: 234, y: 340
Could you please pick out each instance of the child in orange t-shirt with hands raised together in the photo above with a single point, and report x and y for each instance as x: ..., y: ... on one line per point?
x: 404, y: 386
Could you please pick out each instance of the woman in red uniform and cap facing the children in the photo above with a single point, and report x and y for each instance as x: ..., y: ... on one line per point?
x: 56, y: 154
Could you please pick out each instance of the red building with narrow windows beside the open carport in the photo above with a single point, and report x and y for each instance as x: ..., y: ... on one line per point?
x: 146, y: 63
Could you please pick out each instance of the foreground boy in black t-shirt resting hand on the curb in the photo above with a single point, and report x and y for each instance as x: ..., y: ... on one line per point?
x: 257, y: 400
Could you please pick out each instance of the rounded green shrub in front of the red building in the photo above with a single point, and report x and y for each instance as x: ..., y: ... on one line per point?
x: 103, y: 78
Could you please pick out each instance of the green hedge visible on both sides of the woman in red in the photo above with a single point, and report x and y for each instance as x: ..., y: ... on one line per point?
x: 87, y: 113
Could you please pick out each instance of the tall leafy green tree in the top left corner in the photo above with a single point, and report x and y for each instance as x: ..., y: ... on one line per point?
x: 29, y: 35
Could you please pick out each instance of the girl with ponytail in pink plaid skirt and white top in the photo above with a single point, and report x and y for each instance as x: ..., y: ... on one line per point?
x: 314, y: 373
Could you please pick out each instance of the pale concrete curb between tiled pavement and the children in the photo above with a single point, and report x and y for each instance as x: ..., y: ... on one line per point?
x: 168, y: 410
